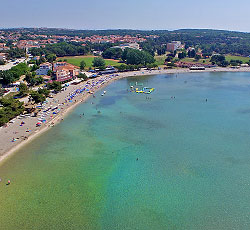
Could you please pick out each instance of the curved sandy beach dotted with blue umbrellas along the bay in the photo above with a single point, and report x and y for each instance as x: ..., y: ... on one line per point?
x: 23, y: 130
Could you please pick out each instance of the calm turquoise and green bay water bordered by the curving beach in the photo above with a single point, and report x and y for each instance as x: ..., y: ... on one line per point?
x: 192, y: 172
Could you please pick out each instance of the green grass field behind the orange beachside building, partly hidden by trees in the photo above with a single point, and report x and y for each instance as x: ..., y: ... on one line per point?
x: 88, y: 60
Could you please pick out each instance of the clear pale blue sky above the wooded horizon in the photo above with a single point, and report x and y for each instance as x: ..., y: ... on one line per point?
x: 126, y: 14
